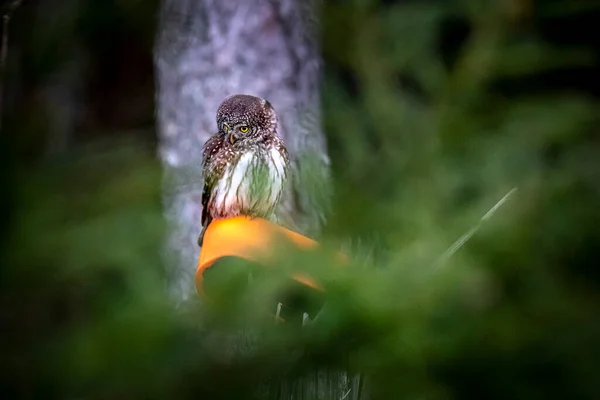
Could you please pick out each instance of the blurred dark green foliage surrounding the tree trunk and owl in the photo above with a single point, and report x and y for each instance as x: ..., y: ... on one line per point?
x: 433, y: 111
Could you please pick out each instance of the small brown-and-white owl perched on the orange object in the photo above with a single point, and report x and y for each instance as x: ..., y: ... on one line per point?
x: 245, y: 164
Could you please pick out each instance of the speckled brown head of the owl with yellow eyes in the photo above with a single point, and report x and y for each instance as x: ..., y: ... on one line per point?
x: 245, y: 117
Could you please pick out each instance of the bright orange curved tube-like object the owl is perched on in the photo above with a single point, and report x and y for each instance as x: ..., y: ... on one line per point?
x: 250, y: 239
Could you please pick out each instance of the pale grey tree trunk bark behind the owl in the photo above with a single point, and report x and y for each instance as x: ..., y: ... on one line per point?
x: 209, y: 49
